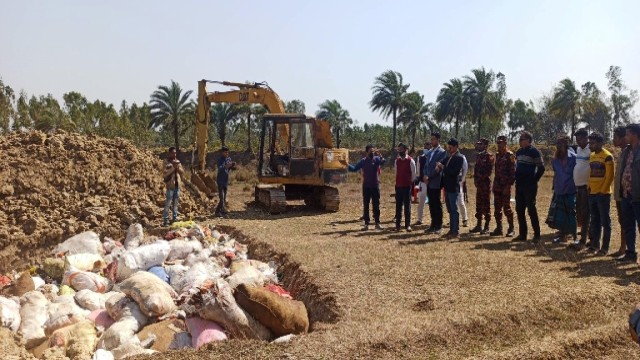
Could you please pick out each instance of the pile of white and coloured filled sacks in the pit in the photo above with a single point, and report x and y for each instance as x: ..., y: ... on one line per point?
x: 106, y: 299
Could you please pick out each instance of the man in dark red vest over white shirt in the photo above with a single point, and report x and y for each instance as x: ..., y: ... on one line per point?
x: 405, y: 173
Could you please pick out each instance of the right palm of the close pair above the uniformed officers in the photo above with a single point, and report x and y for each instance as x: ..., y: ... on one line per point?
x: 485, y: 101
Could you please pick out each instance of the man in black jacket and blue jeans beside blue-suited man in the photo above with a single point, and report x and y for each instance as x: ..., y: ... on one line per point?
x: 450, y: 168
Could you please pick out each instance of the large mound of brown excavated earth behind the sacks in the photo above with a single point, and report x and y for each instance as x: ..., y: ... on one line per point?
x: 53, y: 186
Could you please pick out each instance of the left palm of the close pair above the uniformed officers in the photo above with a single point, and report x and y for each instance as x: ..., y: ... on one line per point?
x: 453, y: 103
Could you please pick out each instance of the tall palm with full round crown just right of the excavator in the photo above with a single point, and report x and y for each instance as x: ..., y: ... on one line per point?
x: 388, y: 97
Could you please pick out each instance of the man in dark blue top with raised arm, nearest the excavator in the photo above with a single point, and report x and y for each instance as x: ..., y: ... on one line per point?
x: 370, y: 166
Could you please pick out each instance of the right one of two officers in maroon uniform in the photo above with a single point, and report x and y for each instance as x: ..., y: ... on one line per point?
x: 504, y: 178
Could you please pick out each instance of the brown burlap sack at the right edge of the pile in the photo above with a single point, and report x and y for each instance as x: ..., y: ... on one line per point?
x: 280, y: 315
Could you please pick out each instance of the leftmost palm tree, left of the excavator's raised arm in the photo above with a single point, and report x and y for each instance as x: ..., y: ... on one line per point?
x: 171, y: 108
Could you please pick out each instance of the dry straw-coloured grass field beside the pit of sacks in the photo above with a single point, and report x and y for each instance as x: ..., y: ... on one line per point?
x: 413, y: 295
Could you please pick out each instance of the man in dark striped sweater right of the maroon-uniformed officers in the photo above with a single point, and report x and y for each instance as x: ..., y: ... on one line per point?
x: 529, y: 170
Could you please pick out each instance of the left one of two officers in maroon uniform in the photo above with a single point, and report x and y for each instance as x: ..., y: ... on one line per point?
x: 482, y: 179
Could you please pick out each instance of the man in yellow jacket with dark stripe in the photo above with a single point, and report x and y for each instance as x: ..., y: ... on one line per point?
x: 600, y: 180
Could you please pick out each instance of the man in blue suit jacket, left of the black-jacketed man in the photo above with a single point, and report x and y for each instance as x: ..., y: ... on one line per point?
x: 432, y: 177
